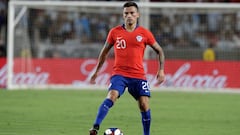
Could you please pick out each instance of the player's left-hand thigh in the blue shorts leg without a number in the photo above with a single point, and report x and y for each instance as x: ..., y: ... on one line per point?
x: 117, y: 84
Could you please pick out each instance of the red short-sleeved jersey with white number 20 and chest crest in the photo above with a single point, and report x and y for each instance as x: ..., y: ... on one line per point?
x: 129, y: 50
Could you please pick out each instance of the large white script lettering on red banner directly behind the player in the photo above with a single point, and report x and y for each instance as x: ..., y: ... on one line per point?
x: 180, y: 78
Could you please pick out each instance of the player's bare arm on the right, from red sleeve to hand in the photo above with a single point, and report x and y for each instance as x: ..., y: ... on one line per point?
x: 161, y: 58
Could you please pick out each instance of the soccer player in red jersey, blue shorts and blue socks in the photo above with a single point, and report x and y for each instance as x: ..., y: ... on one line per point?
x: 129, y: 42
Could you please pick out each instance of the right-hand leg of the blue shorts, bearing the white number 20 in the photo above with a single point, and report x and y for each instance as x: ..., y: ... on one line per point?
x: 138, y: 88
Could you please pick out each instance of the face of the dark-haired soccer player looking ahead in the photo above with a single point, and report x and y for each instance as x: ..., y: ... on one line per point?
x: 130, y: 15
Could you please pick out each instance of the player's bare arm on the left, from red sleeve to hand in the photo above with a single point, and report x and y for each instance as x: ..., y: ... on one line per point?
x: 101, y: 59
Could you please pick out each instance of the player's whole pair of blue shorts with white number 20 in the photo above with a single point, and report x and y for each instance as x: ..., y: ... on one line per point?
x: 136, y: 87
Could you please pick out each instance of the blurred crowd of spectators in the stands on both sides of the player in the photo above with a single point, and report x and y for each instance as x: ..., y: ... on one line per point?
x: 171, y: 30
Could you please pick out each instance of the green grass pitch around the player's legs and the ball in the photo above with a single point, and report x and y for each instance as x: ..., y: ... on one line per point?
x: 72, y: 112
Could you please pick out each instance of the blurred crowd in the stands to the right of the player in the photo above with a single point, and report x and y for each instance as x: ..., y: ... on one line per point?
x: 198, y: 30
